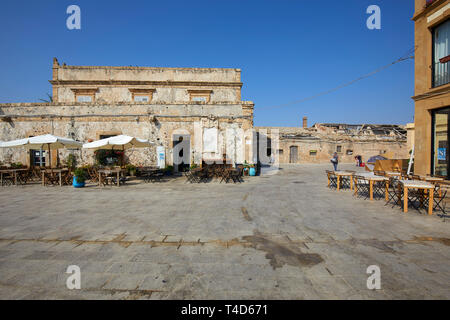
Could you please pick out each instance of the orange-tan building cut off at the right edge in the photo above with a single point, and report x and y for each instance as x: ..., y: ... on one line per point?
x: 432, y: 87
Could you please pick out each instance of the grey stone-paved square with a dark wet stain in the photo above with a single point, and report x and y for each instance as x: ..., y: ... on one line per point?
x: 281, y: 236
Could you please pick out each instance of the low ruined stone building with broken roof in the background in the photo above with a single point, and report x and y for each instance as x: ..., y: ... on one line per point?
x: 317, y: 144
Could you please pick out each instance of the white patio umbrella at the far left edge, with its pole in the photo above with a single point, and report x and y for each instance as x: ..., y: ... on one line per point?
x: 46, y: 141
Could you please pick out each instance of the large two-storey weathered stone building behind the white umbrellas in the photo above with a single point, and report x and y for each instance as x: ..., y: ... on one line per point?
x: 164, y: 105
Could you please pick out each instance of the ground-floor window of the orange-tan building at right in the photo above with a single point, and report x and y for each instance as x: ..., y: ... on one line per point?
x: 440, y: 163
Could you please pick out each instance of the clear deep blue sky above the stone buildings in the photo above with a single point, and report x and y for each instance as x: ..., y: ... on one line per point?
x: 287, y: 50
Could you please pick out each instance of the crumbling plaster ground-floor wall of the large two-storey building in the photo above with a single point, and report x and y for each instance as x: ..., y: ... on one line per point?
x: 86, y: 122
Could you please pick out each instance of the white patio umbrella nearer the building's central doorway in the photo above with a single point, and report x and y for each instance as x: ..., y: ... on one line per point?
x: 120, y: 142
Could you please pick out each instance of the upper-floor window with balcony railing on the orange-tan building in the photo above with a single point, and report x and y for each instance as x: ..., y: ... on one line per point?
x: 441, y: 54
